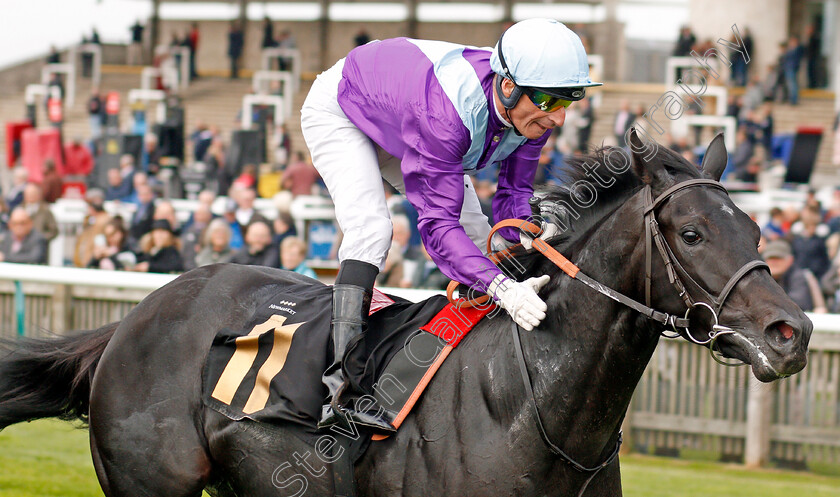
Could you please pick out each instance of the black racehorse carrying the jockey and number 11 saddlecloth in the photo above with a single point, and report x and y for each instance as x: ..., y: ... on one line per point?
x: 474, y: 432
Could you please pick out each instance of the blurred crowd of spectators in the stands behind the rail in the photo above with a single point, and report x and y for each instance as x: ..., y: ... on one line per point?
x: 801, y: 245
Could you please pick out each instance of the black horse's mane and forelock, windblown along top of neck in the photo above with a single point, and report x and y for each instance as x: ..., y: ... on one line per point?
x: 611, y: 191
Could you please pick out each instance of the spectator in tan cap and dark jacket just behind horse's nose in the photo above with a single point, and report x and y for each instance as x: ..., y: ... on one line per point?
x: 799, y: 284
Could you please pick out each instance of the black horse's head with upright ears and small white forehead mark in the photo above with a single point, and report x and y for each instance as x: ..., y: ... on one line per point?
x: 713, y: 244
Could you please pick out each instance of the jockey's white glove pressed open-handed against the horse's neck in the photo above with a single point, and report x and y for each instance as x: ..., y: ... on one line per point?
x: 520, y: 300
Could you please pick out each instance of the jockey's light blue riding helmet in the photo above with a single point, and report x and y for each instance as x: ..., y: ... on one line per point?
x: 543, y: 54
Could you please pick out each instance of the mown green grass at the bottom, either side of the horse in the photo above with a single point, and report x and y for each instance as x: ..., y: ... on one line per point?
x: 52, y: 459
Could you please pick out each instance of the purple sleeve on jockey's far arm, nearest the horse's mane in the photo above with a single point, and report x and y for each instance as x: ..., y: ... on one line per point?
x: 516, y: 184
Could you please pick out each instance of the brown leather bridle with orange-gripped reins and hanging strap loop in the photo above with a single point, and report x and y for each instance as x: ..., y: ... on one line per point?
x: 677, y: 275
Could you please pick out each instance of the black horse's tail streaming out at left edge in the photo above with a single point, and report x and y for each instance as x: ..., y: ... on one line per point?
x: 46, y: 378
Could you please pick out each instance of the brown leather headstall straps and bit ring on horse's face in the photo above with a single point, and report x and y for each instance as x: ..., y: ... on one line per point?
x: 677, y: 274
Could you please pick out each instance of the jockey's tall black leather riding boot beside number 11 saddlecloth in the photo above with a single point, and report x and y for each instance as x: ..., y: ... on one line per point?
x: 351, y: 306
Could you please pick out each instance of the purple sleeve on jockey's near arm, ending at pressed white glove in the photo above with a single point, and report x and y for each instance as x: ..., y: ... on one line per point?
x: 436, y: 189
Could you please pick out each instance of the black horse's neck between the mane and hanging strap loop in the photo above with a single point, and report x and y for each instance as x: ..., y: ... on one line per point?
x: 585, y: 369
